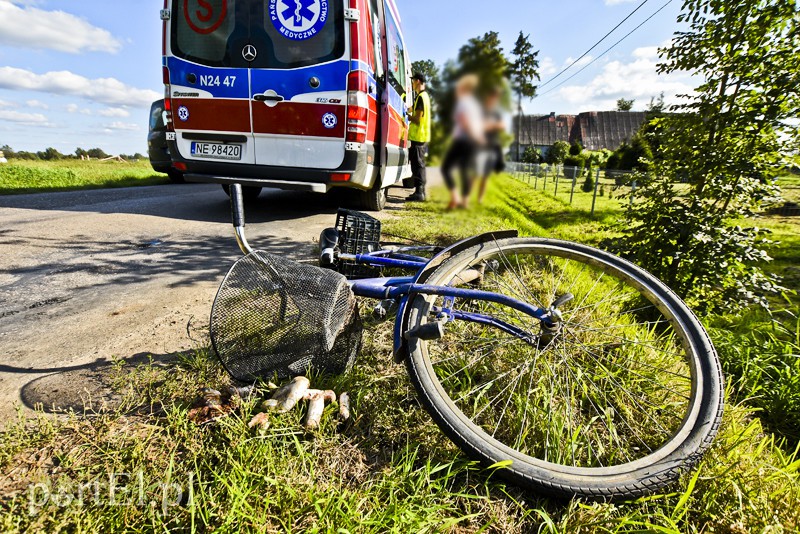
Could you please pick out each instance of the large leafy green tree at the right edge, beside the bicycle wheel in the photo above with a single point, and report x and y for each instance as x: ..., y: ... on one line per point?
x: 726, y: 141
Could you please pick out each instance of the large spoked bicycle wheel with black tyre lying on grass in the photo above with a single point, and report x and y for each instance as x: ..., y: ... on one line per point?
x: 617, y: 402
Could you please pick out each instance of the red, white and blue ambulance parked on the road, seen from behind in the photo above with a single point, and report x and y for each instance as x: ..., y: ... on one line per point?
x: 305, y: 95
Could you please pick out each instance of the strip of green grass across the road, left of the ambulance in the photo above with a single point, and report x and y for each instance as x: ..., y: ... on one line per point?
x: 21, y: 177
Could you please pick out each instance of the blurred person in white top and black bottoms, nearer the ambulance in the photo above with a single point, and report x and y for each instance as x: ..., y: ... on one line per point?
x: 468, y: 137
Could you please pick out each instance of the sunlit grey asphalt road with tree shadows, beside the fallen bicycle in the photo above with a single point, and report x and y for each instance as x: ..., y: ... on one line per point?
x: 93, y: 276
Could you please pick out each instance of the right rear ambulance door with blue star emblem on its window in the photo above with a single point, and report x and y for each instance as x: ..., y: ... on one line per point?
x: 298, y: 82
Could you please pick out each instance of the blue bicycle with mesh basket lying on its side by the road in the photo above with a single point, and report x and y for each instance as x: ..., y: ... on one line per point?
x: 574, y: 371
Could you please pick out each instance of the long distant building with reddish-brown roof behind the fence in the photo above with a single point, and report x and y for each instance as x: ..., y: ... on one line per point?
x: 595, y: 130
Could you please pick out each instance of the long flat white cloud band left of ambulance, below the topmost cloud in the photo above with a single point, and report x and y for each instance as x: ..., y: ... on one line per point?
x: 109, y: 91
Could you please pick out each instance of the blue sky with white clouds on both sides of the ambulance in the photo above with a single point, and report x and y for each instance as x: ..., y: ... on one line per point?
x: 83, y: 73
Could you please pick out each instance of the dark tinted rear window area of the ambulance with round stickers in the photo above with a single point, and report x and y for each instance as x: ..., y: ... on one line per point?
x: 286, y: 33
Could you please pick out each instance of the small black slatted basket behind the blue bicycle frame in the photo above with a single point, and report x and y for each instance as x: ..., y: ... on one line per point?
x: 358, y: 234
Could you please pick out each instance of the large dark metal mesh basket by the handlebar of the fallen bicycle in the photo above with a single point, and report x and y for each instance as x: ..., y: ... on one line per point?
x: 276, y: 316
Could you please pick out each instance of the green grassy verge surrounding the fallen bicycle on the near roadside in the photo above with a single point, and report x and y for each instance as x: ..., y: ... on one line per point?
x: 390, y: 469
